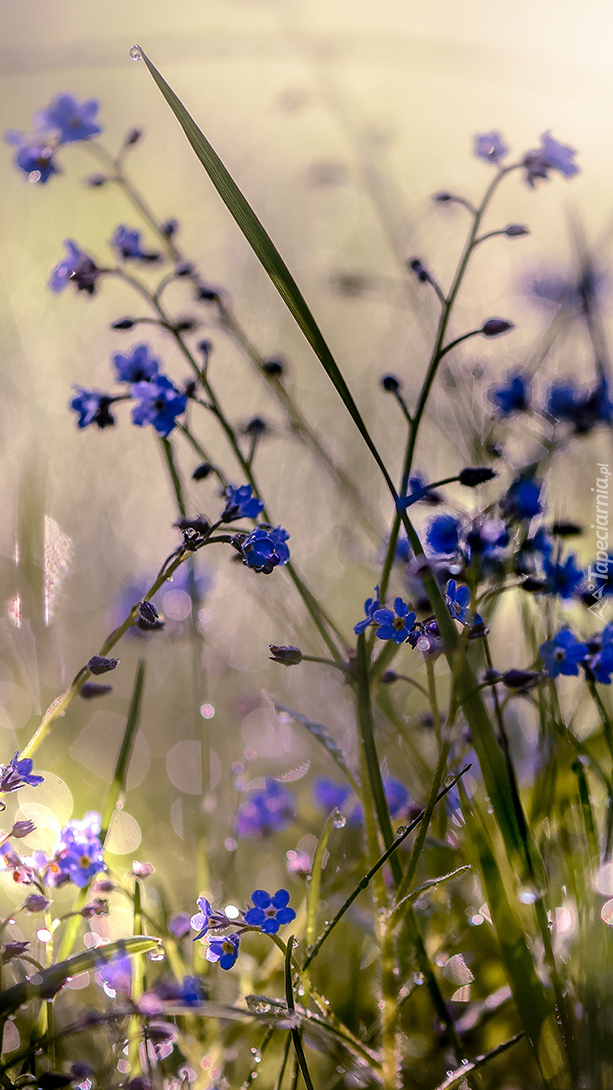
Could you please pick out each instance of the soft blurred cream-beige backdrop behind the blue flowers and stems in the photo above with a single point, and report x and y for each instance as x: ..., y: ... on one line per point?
x: 339, y: 122
